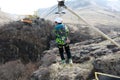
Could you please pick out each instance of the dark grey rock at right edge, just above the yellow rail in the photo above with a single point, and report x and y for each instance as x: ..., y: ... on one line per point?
x: 108, y: 64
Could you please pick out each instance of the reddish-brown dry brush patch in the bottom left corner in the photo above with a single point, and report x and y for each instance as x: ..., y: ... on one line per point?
x: 15, y: 70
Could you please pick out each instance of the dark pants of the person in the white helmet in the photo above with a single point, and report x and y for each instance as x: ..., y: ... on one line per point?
x: 67, y: 50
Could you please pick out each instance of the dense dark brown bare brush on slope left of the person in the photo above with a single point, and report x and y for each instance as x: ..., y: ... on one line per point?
x: 24, y: 42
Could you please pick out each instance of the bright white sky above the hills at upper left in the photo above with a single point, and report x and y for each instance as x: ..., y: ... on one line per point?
x: 25, y: 6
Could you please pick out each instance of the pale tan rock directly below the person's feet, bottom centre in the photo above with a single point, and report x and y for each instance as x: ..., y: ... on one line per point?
x: 59, y: 72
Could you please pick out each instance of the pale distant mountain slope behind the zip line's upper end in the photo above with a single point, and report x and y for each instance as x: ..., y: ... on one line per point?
x: 94, y: 12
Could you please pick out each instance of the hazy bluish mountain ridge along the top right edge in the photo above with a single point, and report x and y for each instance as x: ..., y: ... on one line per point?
x: 112, y: 6
